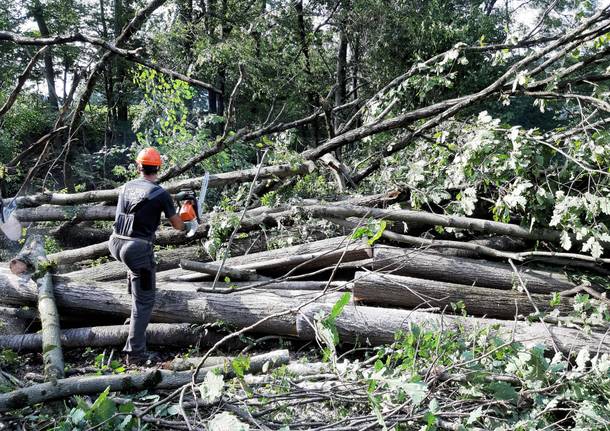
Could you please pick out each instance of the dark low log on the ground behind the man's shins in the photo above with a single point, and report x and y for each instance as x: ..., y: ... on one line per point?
x: 160, y: 334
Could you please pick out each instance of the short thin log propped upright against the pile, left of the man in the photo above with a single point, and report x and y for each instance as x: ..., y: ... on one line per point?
x: 32, y: 259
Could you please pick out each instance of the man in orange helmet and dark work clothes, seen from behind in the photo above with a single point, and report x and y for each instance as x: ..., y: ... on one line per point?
x: 138, y: 215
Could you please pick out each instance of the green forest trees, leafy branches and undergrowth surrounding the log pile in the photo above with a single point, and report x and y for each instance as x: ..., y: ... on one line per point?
x: 486, y: 109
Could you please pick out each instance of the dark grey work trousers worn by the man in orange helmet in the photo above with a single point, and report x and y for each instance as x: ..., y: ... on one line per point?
x: 139, y: 258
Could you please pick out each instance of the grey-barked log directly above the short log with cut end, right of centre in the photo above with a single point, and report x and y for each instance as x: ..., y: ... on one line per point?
x: 462, y: 270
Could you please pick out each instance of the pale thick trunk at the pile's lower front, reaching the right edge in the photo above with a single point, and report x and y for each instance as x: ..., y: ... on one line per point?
x: 377, y: 326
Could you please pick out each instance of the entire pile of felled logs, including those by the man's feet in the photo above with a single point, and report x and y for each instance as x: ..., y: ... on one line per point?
x: 395, y: 282
